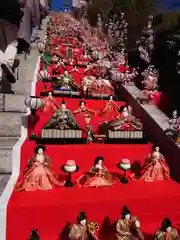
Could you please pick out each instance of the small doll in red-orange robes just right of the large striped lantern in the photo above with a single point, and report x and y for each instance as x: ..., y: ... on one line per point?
x: 49, y: 104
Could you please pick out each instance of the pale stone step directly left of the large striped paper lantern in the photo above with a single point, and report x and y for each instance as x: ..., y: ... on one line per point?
x: 12, y: 103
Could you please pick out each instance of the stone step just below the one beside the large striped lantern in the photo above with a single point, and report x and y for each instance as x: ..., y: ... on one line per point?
x: 10, y: 124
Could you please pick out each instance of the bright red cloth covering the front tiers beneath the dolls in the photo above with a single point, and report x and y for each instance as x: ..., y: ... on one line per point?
x: 51, y: 211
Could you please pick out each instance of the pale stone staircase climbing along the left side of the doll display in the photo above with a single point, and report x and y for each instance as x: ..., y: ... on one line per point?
x: 12, y: 109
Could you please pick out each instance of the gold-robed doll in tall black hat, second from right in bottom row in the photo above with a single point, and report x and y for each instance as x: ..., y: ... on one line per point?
x: 128, y: 227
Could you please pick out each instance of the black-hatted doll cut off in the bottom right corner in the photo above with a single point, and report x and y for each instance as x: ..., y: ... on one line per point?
x: 167, y: 232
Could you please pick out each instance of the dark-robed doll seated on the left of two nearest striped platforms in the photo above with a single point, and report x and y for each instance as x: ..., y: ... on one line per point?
x: 62, y: 119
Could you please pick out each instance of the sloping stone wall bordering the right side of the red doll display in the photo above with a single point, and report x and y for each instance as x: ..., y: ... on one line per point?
x: 155, y: 123
